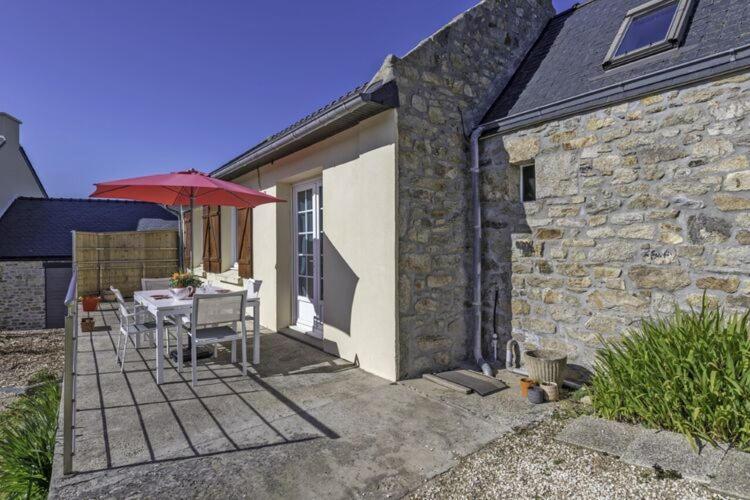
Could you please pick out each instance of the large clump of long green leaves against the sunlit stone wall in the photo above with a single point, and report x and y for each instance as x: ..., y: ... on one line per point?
x: 688, y: 373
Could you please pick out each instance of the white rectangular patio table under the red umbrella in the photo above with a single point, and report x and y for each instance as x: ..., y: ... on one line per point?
x: 161, y: 304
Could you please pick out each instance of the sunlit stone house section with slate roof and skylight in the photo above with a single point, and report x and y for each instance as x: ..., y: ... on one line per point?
x: 639, y: 156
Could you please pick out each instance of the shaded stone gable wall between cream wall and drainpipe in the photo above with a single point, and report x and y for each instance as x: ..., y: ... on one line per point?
x: 445, y: 86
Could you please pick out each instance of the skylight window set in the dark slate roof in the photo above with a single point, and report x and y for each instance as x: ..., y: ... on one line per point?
x: 649, y: 28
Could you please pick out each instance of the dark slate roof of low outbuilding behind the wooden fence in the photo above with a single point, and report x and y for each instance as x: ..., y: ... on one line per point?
x: 39, y: 228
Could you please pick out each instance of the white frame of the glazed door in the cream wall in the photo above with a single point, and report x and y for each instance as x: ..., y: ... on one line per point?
x: 316, y: 327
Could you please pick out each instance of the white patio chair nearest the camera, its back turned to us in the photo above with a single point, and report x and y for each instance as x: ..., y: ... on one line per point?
x: 214, y: 319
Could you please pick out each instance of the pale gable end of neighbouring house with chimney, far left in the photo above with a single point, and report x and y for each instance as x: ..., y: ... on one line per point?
x: 19, y: 176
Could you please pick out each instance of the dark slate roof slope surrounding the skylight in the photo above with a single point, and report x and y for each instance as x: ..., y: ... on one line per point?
x: 566, y: 60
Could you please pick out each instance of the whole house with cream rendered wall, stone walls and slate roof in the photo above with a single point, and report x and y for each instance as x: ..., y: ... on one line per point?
x: 621, y: 124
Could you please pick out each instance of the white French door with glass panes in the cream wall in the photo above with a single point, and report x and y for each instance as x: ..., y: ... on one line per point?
x: 308, y: 257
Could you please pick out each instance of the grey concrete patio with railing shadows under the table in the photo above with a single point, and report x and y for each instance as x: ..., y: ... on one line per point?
x: 301, y: 424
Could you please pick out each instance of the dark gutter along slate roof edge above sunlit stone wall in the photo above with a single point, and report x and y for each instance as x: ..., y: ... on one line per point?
x: 706, y: 68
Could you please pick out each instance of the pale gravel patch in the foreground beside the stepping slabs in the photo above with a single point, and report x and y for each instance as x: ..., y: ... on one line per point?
x: 530, y: 464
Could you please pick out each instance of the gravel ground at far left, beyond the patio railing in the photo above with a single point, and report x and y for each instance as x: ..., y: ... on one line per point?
x: 23, y: 353
